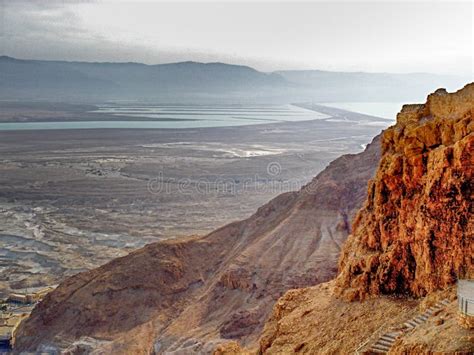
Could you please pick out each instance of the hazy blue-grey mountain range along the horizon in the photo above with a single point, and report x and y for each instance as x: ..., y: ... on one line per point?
x: 192, y: 82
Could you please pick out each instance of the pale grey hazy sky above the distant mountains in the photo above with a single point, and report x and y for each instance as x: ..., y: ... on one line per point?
x: 403, y: 36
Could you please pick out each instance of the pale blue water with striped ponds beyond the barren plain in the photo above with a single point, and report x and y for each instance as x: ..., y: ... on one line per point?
x: 169, y: 116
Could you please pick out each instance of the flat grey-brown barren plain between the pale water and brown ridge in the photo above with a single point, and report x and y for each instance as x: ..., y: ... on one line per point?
x: 71, y: 200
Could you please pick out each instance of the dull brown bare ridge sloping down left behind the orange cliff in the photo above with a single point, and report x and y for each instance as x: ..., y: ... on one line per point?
x: 189, y: 295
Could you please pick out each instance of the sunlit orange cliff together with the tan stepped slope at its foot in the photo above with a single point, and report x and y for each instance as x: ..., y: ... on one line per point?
x: 410, y: 241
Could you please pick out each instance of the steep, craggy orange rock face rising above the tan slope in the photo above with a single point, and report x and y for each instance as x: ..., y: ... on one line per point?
x: 415, y: 233
